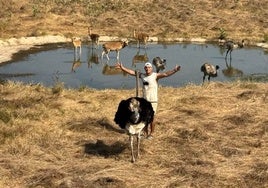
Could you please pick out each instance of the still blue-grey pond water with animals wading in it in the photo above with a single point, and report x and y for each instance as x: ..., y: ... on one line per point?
x: 38, y: 65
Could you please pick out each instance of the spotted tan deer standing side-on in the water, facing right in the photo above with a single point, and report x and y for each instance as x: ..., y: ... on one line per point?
x: 113, y: 46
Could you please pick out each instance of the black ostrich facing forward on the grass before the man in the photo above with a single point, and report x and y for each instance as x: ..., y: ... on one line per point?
x: 133, y: 115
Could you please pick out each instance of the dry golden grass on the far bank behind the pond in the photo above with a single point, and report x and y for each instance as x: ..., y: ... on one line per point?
x: 238, y: 19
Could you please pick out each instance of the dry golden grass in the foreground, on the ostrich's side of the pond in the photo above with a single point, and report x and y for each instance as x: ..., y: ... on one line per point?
x: 210, y: 136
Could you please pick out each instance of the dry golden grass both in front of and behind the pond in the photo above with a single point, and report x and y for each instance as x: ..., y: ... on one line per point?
x: 206, y: 136
